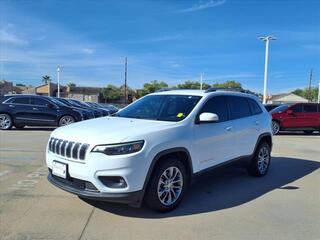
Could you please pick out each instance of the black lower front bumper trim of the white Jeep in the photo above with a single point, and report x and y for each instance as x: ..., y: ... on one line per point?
x: 78, y: 187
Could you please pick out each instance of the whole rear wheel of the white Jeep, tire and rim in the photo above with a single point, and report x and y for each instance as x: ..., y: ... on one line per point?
x: 260, y: 162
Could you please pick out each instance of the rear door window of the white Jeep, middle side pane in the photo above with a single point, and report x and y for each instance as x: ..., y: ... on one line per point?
x: 239, y: 107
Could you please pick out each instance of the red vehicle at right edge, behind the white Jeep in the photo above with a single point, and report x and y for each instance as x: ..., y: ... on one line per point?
x: 299, y: 116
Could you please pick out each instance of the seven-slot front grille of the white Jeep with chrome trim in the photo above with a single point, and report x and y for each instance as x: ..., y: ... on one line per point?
x: 73, y: 150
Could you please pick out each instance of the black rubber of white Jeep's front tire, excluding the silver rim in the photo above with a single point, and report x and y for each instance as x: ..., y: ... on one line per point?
x: 151, y: 196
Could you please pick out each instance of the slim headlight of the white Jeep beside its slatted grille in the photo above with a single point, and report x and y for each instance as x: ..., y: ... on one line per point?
x: 119, y: 149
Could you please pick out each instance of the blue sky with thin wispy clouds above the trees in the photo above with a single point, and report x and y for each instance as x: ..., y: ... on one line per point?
x: 165, y: 40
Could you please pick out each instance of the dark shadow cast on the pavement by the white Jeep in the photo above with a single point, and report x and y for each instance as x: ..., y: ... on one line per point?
x: 225, y: 188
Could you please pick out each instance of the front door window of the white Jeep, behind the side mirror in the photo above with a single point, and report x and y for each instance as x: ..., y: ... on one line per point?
x: 218, y: 106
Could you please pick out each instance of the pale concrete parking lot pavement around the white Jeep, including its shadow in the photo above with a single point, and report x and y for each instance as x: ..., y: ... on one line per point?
x: 226, y: 204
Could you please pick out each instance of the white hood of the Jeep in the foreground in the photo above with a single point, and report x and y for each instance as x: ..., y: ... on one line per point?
x: 108, y: 130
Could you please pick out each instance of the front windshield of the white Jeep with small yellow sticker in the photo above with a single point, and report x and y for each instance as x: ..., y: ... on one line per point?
x: 161, y: 107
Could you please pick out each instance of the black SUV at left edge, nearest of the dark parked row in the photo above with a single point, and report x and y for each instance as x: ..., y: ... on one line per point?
x: 32, y: 110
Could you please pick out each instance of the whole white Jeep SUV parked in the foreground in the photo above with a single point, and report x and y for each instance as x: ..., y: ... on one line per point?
x: 152, y: 149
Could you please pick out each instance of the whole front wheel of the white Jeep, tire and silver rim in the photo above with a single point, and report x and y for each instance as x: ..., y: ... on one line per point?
x: 161, y: 189
